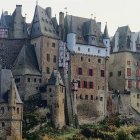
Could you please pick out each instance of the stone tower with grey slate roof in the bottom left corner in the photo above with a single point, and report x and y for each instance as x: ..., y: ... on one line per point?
x: 11, y: 107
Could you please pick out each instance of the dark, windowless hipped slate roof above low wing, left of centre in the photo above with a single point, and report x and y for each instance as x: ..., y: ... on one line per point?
x: 26, y: 62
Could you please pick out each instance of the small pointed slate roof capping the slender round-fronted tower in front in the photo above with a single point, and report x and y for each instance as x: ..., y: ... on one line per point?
x: 55, y: 78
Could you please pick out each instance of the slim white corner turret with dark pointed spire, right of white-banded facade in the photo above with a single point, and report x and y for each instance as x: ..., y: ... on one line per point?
x: 106, y: 40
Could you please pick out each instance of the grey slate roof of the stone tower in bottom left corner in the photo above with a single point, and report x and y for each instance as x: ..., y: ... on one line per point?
x: 6, y: 83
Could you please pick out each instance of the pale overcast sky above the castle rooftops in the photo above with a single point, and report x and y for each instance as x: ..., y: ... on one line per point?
x: 116, y: 13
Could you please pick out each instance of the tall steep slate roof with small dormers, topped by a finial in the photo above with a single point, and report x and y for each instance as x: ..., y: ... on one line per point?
x: 42, y: 24
